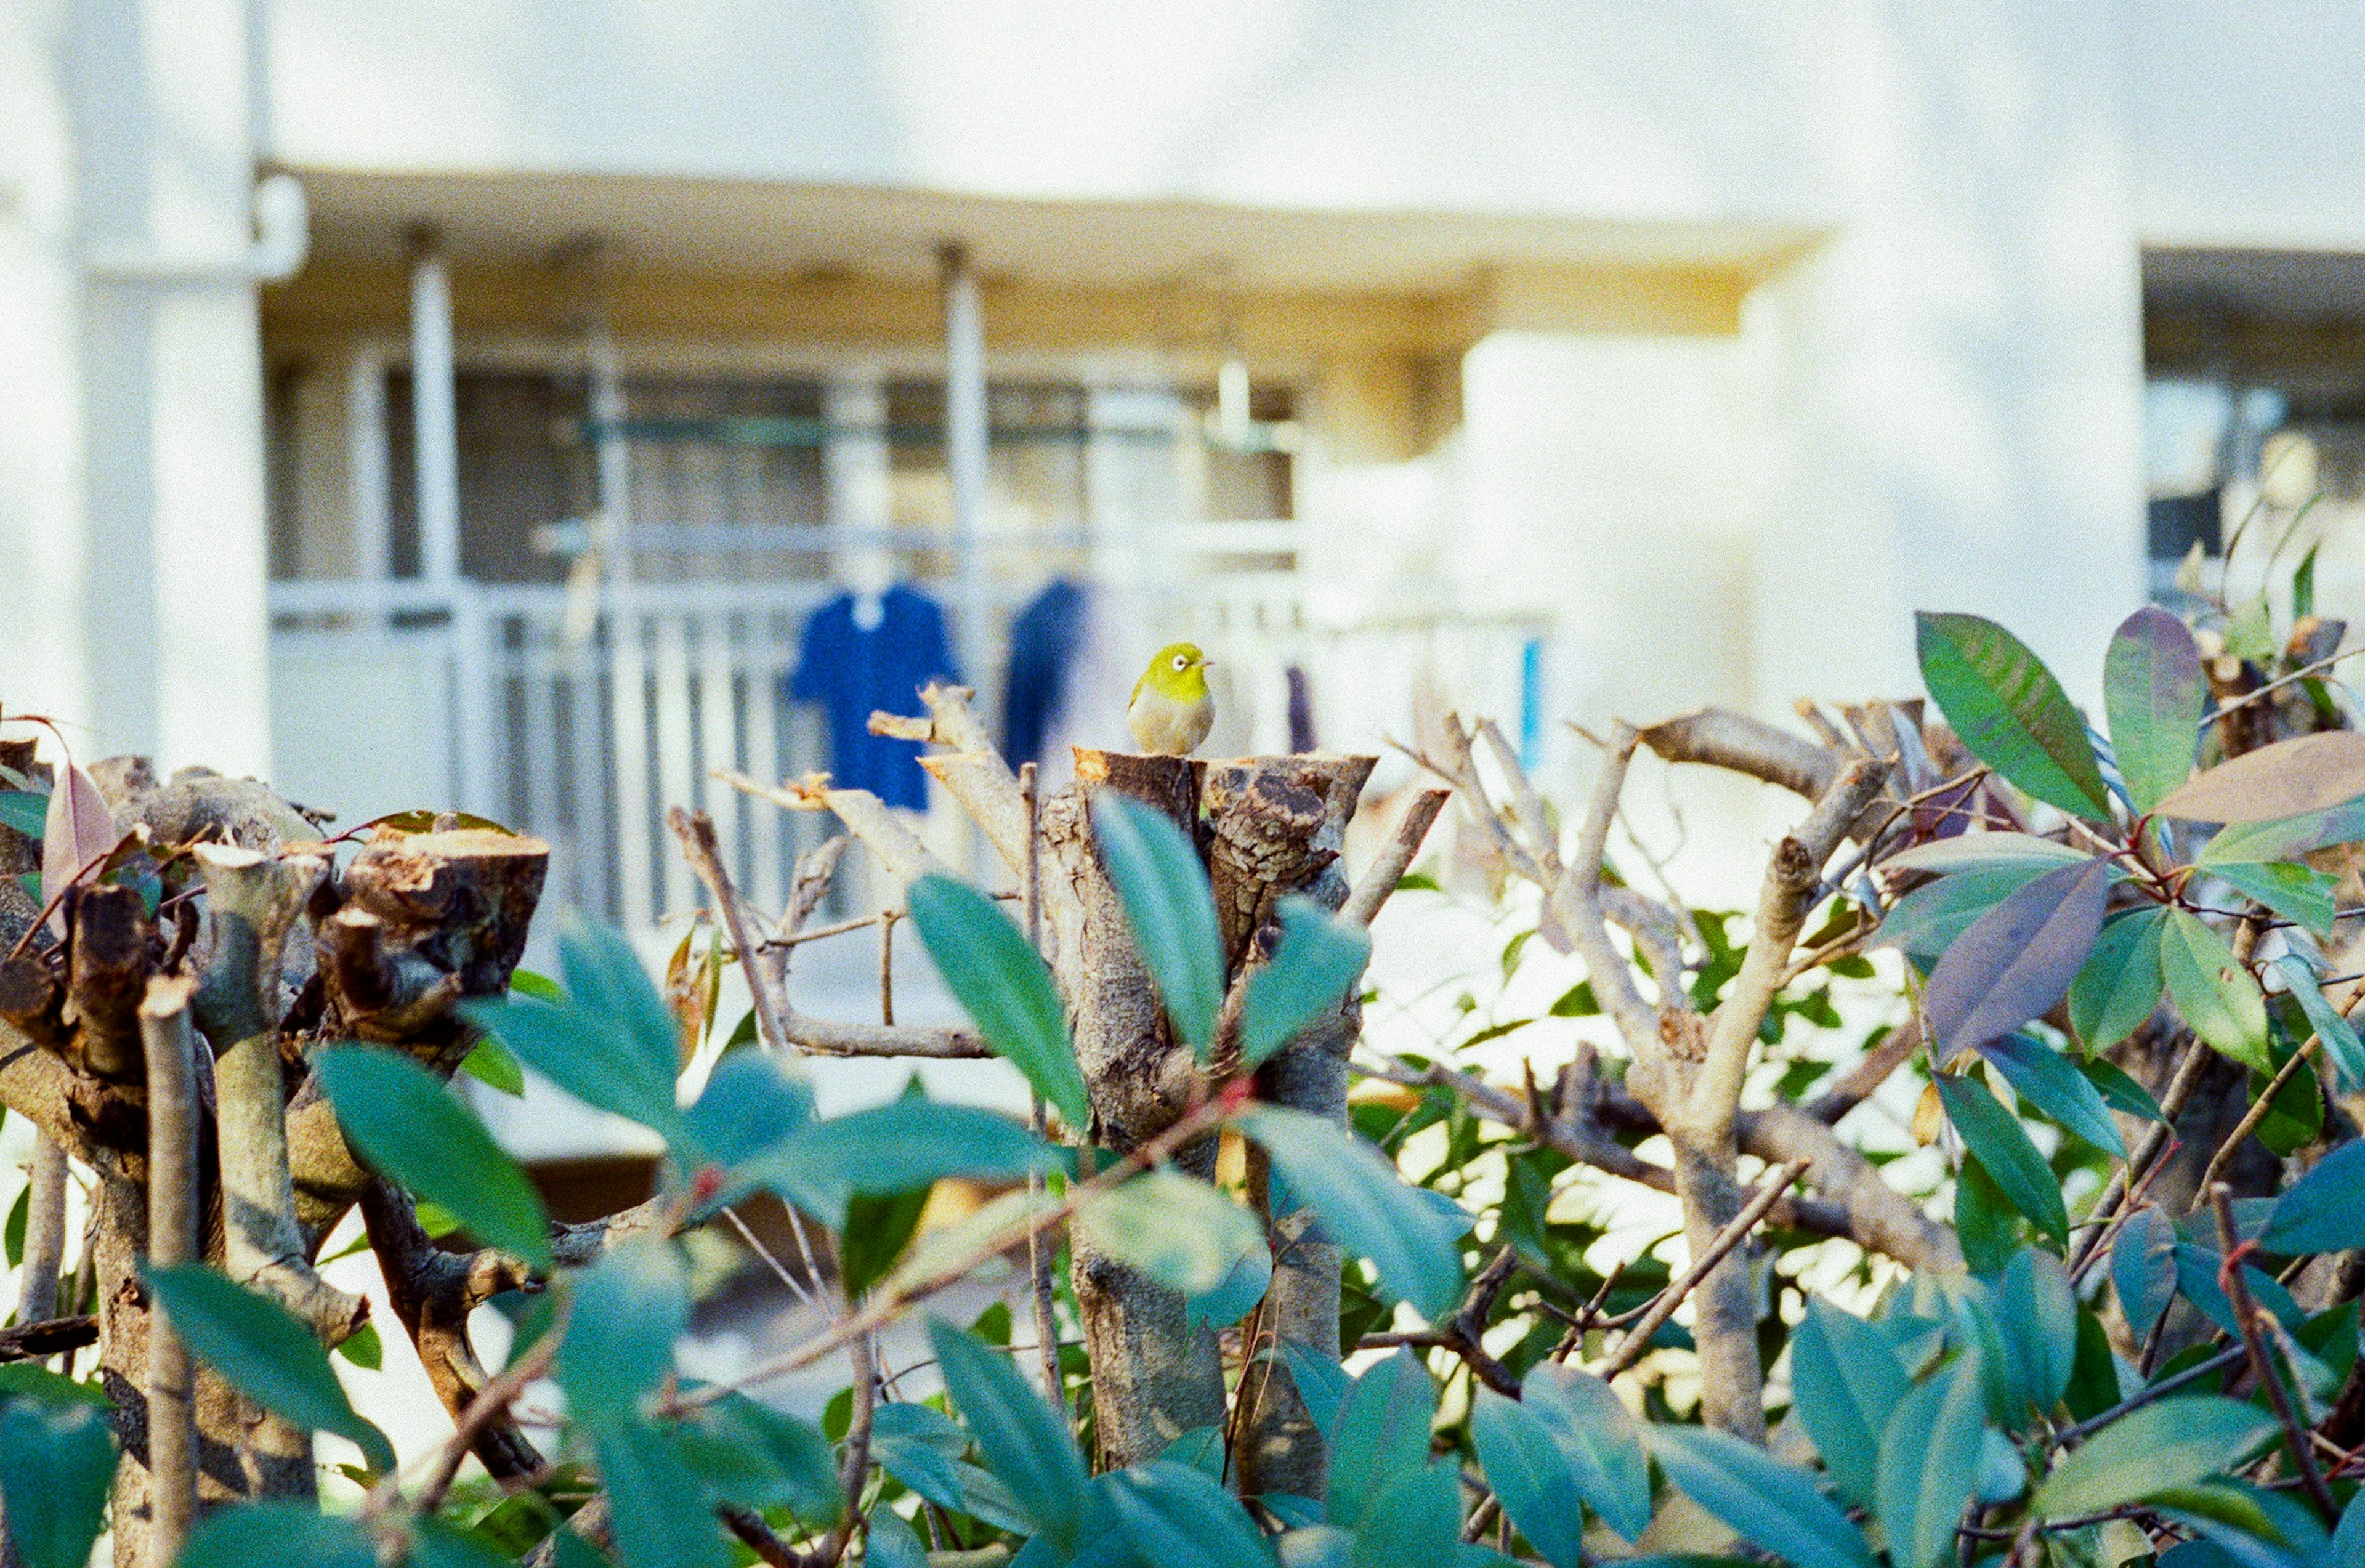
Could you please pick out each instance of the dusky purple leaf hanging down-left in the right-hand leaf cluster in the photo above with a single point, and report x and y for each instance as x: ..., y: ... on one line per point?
x: 2019, y: 959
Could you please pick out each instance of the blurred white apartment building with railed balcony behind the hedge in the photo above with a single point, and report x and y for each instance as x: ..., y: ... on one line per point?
x: 1695, y: 346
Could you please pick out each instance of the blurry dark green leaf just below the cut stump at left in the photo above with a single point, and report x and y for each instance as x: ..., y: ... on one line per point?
x: 413, y: 1129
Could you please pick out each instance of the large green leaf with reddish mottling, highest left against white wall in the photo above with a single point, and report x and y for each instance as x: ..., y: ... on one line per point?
x: 2011, y: 713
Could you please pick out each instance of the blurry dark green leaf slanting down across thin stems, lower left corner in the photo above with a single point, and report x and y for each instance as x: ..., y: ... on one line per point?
x: 266, y: 1354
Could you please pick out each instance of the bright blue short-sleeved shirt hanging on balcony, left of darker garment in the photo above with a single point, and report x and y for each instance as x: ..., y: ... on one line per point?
x: 857, y: 673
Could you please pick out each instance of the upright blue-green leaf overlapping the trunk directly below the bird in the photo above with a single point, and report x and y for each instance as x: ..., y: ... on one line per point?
x: 1169, y: 907
